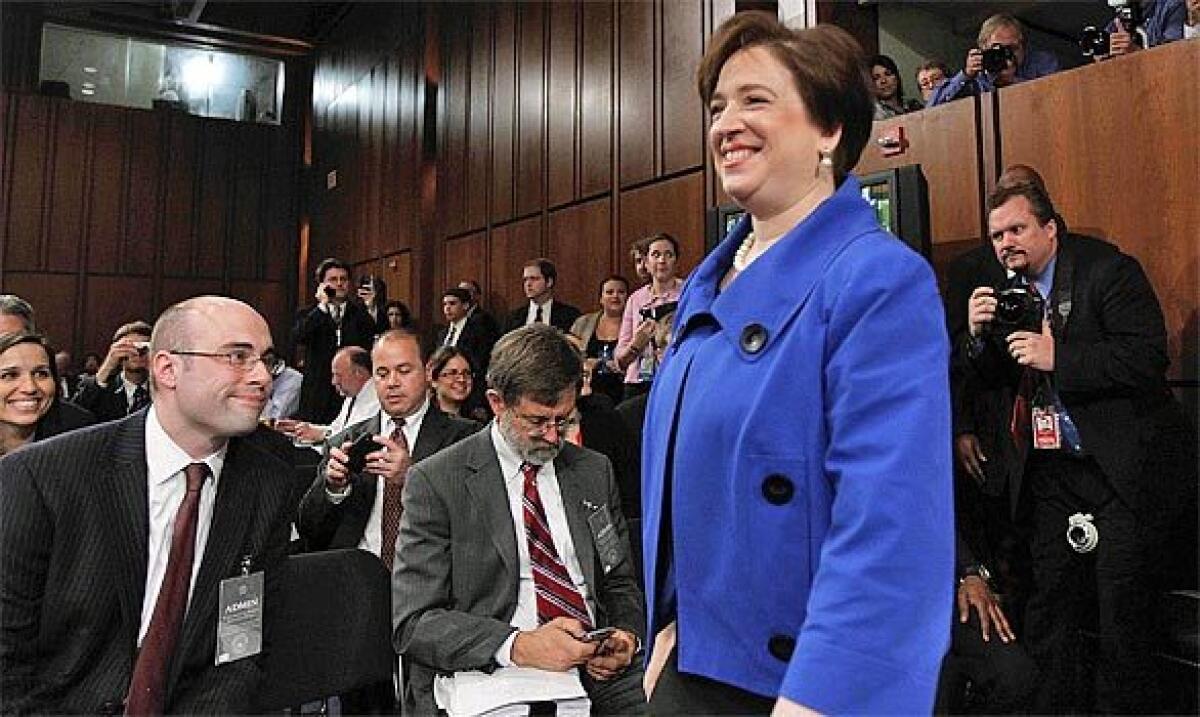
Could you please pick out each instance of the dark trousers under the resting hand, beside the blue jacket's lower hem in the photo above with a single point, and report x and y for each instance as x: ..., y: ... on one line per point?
x: 1001, y: 676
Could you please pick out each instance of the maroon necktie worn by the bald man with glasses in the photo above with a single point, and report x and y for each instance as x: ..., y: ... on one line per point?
x: 148, y: 688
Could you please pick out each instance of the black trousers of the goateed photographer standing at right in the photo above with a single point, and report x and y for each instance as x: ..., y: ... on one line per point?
x: 1066, y: 581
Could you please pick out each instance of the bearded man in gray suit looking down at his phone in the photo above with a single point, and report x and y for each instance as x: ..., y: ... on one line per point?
x: 513, y: 545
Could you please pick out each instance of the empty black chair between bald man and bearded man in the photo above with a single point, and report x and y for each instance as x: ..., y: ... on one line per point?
x: 332, y: 629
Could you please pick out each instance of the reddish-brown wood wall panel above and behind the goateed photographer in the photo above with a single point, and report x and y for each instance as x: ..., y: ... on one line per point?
x: 1119, y: 148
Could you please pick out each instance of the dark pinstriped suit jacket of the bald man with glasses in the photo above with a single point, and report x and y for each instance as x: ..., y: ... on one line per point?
x: 74, y: 531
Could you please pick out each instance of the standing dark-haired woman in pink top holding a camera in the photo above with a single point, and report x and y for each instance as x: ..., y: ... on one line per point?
x: 645, y: 309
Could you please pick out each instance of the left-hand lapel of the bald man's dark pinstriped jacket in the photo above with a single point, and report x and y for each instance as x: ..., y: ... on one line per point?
x: 122, y: 493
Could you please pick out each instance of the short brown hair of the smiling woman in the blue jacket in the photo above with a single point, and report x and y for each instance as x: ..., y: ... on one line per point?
x: 827, y: 64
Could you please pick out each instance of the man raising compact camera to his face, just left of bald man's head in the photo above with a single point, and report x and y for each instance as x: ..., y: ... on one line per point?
x: 122, y: 384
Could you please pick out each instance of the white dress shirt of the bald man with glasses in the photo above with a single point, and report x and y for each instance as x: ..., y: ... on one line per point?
x: 166, y: 489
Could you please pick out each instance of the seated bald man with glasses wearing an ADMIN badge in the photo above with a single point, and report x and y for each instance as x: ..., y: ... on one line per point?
x: 105, y: 531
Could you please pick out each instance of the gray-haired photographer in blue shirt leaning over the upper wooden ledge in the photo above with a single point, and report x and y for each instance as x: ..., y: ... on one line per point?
x: 1001, y: 59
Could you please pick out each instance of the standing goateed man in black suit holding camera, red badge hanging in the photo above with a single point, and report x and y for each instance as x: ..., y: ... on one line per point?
x: 1076, y: 338
